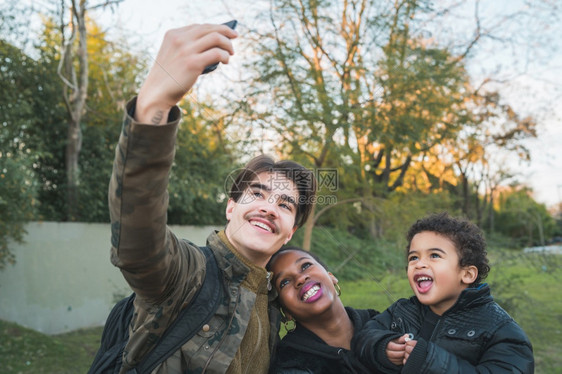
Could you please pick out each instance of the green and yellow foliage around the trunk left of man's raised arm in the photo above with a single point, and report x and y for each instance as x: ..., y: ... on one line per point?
x: 33, y: 132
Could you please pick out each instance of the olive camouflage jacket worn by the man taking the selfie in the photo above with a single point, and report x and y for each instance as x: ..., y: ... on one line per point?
x: 165, y: 272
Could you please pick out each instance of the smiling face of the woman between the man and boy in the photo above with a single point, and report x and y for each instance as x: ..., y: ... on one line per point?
x: 305, y: 287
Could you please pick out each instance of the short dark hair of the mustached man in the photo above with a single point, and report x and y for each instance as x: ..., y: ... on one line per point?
x: 302, y: 177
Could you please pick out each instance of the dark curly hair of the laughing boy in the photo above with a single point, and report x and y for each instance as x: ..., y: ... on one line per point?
x: 466, y: 236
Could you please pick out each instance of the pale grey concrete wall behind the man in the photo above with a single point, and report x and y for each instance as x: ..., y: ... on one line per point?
x: 63, y: 279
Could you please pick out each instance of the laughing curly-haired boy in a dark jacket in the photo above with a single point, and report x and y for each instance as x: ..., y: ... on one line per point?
x: 452, y: 324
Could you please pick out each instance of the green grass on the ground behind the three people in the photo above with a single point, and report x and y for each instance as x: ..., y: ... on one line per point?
x: 527, y: 286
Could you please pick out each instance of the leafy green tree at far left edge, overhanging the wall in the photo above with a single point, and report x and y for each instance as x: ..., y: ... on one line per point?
x: 21, y: 80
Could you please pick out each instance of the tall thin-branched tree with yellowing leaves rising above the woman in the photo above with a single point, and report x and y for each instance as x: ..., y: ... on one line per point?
x: 353, y: 89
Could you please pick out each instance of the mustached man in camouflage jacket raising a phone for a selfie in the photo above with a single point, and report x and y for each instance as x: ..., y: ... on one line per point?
x: 268, y: 201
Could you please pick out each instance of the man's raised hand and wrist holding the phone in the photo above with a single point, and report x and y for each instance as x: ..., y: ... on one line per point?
x: 183, y: 55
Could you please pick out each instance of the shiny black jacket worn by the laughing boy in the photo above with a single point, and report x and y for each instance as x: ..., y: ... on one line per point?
x: 475, y: 336
